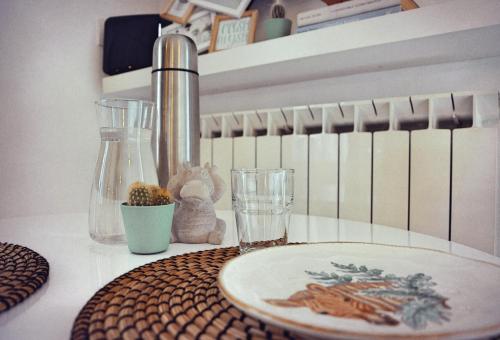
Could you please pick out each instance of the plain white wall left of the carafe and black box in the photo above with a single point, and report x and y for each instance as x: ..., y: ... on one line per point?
x: 50, y: 75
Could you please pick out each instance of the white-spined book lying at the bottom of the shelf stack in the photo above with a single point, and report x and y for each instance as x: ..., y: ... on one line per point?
x: 342, y: 10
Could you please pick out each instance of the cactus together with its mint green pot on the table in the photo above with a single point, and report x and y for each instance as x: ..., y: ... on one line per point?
x: 147, y: 216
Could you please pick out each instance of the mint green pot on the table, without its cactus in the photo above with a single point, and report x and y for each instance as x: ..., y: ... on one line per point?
x: 148, y: 228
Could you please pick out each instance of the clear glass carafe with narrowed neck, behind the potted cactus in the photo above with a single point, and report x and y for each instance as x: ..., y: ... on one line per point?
x: 125, y: 156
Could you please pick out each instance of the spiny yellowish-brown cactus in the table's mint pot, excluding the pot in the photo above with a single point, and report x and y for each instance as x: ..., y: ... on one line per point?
x: 142, y: 194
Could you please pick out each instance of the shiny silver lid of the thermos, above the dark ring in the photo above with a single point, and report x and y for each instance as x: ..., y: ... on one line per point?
x: 175, y: 52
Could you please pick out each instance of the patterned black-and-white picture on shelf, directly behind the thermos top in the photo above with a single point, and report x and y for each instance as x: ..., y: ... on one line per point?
x: 198, y: 28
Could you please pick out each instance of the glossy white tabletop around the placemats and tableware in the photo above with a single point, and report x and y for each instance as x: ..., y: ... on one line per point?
x: 80, y: 266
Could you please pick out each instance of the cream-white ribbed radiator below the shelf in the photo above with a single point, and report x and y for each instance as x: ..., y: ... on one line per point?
x: 427, y: 163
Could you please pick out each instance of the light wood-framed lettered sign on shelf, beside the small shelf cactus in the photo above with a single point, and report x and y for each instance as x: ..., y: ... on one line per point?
x: 229, y: 32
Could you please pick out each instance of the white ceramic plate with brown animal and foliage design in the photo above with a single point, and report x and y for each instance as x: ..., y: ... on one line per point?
x: 366, y: 290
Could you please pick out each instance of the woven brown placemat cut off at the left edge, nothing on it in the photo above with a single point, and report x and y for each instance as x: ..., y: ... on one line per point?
x: 22, y: 272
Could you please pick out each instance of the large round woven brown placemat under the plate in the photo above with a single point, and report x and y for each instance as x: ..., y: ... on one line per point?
x: 173, y: 298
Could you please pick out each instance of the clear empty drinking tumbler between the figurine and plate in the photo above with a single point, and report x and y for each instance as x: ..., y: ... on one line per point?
x: 262, y: 201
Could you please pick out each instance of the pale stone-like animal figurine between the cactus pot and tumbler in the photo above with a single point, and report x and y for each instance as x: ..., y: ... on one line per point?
x: 195, y: 190
